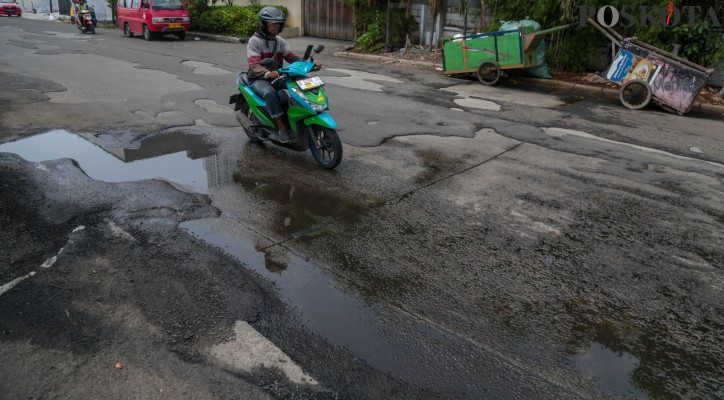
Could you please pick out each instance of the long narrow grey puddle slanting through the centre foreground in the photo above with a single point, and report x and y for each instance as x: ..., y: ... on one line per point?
x: 344, y: 318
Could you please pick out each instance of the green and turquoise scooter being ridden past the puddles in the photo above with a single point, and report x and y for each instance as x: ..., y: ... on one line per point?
x: 305, y: 104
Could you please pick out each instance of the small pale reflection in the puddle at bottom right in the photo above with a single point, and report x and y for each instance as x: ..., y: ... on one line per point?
x: 610, y: 372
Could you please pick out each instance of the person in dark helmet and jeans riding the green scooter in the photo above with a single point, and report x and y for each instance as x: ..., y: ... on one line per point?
x: 266, y: 43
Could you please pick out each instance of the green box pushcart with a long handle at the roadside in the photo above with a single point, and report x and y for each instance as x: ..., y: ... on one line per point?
x: 487, y: 54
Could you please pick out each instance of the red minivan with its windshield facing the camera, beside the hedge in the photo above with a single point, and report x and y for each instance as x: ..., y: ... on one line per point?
x: 153, y: 17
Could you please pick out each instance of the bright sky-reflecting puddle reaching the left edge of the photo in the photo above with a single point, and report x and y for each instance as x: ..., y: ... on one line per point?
x: 180, y: 159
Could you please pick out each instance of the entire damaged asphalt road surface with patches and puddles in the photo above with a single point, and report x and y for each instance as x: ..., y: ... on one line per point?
x: 472, y: 244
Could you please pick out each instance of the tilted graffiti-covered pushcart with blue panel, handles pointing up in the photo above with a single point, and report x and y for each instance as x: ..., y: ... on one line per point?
x: 648, y: 74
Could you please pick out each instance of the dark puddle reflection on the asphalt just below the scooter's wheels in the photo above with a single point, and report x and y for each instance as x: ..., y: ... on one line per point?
x: 305, y: 210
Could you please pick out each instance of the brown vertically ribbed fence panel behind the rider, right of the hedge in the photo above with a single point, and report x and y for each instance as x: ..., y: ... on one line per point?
x: 328, y: 19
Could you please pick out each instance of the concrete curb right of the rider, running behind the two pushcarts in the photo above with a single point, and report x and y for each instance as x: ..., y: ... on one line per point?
x: 553, y: 83
